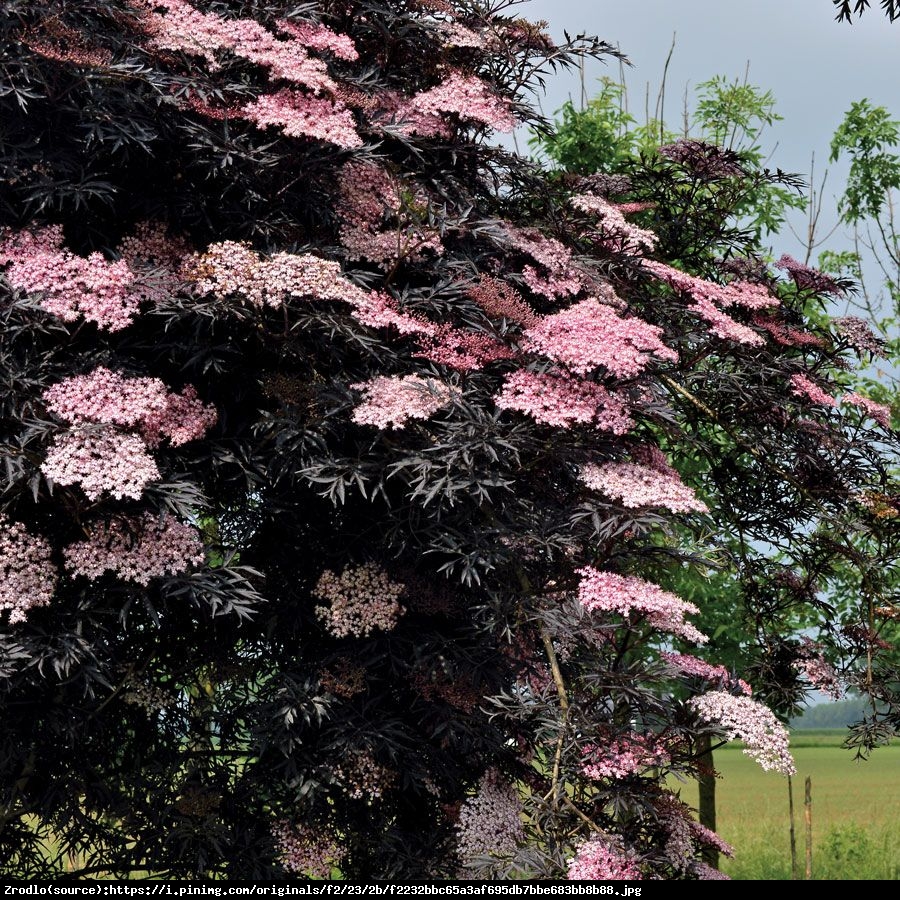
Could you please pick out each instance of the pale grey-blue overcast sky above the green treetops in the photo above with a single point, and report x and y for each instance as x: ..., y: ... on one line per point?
x: 814, y: 65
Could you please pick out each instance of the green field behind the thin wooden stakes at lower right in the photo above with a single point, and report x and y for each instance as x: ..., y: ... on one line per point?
x: 855, y: 811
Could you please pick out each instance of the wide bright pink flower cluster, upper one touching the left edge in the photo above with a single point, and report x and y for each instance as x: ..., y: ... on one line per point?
x: 71, y: 287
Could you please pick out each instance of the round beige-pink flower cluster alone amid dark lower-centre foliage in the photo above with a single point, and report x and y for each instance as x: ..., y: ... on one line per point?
x: 359, y: 600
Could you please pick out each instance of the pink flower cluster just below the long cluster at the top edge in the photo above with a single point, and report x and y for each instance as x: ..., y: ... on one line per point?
x: 302, y: 115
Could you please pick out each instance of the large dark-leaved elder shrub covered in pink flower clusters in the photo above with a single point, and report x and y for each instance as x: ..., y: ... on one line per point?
x: 336, y: 505
